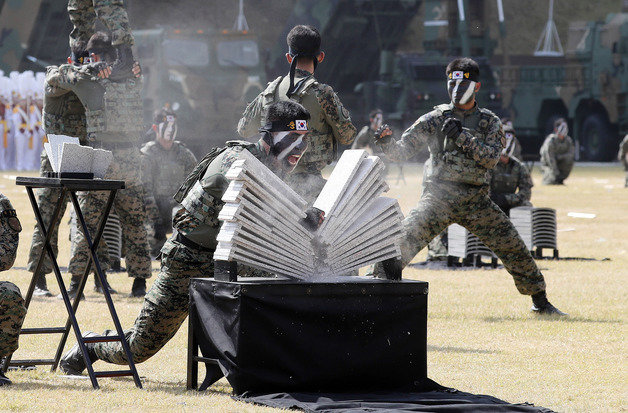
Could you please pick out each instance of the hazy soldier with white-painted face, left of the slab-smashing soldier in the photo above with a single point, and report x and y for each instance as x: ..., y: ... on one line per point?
x: 168, y: 162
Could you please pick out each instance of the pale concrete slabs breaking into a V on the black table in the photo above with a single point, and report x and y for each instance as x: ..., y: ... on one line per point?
x: 263, y: 220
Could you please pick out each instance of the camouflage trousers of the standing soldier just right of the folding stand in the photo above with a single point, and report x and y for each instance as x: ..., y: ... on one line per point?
x: 128, y: 205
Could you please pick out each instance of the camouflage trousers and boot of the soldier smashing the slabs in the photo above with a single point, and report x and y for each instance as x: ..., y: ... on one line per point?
x: 165, y: 305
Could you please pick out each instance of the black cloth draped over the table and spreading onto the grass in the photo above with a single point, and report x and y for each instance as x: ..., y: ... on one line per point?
x: 348, y: 345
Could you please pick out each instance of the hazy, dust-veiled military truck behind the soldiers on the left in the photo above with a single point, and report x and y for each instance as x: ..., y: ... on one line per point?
x: 207, y: 77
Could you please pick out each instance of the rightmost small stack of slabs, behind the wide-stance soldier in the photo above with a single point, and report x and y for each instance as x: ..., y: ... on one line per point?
x: 537, y: 226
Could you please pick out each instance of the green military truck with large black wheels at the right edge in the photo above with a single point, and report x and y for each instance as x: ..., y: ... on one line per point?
x: 588, y: 87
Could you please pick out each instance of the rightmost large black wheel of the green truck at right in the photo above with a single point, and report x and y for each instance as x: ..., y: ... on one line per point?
x: 596, y: 139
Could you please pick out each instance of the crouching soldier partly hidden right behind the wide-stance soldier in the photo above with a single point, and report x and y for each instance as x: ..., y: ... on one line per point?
x: 511, y: 183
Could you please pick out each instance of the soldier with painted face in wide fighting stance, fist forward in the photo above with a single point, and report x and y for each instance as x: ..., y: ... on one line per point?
x: 464, y: 142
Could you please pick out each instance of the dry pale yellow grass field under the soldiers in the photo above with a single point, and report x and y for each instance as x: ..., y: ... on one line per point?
x: 482, y: 337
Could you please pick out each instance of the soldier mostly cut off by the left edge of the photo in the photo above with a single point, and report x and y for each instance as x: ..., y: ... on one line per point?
x: 12, y: 310
